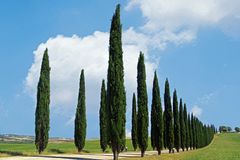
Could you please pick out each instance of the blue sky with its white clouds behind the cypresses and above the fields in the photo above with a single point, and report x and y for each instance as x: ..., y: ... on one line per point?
x: 198, y: 52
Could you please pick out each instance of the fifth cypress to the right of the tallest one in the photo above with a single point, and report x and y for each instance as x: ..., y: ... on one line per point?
x: 176, y: 122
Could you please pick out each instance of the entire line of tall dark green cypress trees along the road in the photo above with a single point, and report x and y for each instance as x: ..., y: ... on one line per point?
x: 173, y: 128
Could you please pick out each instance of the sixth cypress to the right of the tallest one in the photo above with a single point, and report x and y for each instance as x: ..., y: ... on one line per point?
x: 182, y: 126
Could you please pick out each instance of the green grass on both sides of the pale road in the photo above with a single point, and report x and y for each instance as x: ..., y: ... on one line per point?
x: 223, y: 147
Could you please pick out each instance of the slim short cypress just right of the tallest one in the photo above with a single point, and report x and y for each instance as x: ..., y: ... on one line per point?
x: 134, y: 123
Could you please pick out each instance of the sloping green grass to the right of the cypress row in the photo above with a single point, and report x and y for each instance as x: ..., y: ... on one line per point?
x: 223, y: 147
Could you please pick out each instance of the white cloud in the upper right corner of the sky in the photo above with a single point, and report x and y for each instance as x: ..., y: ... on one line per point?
x: 178, y: 22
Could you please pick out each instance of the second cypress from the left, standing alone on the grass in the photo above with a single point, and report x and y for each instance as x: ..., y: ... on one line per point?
x: 80, y: 118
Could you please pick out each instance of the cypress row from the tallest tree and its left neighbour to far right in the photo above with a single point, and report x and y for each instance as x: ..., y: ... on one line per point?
x: 173, y: 128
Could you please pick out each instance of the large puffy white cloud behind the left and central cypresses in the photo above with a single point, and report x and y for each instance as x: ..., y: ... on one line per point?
x: 68, y: 55
